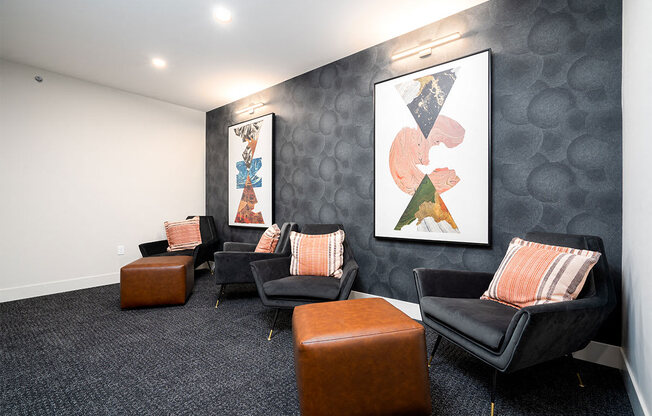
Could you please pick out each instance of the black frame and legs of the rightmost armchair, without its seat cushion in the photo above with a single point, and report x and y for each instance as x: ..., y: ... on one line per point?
x: 536, y: 333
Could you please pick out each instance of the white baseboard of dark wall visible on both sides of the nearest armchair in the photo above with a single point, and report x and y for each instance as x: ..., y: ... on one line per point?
x: 595, y: 352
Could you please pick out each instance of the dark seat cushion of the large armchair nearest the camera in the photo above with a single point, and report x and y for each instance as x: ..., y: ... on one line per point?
x: 482, y: 320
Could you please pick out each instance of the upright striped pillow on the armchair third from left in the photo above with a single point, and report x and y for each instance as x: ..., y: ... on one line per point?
x: 317, y: 255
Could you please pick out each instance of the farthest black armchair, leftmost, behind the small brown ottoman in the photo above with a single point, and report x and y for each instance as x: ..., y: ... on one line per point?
x: 201, y: 254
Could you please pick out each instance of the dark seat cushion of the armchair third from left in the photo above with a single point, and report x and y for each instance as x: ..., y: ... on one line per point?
x: 318, y: 287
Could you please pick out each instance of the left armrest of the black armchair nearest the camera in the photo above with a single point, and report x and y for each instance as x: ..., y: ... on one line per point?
x: 451, y: 283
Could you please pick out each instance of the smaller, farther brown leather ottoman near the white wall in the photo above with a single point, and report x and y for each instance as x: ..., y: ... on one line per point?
x: 152, y: 281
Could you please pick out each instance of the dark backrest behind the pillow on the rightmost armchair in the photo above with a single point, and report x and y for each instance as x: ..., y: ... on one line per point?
x: 599, y: 282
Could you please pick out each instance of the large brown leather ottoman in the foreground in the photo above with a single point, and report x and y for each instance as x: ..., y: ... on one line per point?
x: 359, y: 357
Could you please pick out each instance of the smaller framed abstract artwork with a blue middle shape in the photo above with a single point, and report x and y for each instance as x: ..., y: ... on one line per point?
x: 251, y: 172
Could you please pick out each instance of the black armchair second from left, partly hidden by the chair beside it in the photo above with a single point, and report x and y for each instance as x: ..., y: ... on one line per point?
x: 232, y: 263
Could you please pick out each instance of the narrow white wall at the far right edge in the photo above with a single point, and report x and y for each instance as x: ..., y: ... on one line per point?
x: 637, y: 201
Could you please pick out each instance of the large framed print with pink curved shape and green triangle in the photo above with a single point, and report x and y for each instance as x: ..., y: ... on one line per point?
x: 432, y: 151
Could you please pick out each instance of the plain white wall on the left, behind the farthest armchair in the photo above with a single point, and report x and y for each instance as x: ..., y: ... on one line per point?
x: 84, y: 168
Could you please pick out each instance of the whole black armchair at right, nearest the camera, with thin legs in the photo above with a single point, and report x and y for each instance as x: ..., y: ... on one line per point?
x: 510, y: 339
